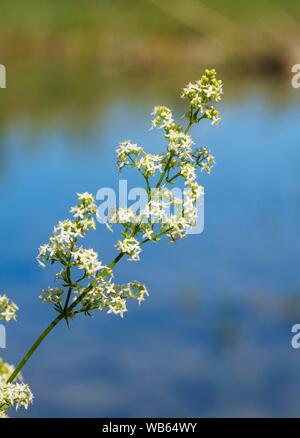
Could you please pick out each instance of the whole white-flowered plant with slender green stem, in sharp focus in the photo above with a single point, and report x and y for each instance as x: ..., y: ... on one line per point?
x: 83, y: 283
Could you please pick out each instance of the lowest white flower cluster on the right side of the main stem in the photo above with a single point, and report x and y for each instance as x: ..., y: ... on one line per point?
x: 112, y: 297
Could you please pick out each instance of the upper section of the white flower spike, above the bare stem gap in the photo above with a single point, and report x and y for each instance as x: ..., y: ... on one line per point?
x: 180, y: 160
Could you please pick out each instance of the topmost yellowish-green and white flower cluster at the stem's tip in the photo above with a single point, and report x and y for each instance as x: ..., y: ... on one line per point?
x: 201, y: 95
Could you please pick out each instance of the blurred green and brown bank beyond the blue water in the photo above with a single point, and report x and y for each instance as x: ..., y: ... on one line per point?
x: 74, y: 54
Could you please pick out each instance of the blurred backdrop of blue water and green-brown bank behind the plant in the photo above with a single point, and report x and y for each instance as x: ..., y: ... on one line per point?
x: 214, y: 337
